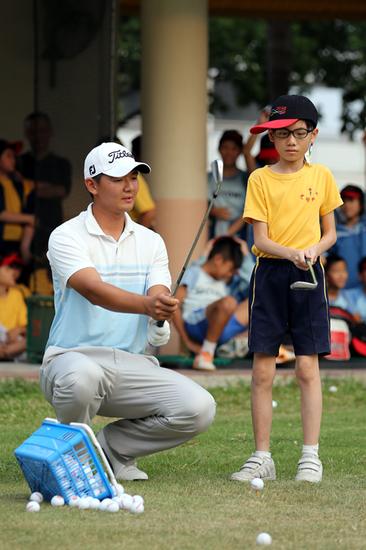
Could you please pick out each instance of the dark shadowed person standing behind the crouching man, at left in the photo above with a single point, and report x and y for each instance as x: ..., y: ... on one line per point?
x: 51, y: 174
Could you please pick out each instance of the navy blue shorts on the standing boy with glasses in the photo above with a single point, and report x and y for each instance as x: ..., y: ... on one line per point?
x: 276, y: 311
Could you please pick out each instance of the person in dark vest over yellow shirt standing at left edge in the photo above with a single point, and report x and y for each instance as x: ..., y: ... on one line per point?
x: 16, y: 205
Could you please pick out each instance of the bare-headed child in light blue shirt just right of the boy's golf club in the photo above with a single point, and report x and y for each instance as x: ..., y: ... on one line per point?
x: 336, y: 276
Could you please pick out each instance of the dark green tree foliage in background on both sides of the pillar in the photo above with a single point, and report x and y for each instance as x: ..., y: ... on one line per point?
x: 330, y: 53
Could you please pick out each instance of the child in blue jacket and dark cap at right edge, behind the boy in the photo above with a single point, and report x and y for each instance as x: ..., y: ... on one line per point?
x: 351, y: 232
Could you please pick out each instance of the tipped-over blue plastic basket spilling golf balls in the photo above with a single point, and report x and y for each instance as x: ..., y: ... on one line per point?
x: 59, y: 459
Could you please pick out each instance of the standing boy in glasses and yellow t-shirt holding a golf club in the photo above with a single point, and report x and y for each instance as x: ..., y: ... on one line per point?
x: 284, y: 203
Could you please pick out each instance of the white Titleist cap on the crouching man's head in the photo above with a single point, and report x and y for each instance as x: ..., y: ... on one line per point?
x: 112, y: 159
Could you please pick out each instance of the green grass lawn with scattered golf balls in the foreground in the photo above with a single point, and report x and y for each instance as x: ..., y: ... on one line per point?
x: 189, y: 501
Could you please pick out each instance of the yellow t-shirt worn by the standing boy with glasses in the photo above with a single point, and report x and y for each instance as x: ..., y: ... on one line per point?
x: 291, y: 204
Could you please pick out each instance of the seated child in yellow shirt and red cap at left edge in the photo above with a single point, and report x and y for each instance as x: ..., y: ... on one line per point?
x: 13, y: 312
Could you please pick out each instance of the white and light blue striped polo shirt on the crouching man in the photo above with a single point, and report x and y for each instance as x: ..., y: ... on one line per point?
x: 136, y: 262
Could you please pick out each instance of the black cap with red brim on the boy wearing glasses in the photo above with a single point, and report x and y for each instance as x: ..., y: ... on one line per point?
x: 286, y: 110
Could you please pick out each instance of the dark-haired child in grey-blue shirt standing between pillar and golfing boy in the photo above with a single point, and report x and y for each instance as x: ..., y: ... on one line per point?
x: 226, y: 214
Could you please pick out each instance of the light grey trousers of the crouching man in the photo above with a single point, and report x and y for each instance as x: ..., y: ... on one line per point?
x: 158, y: 407
